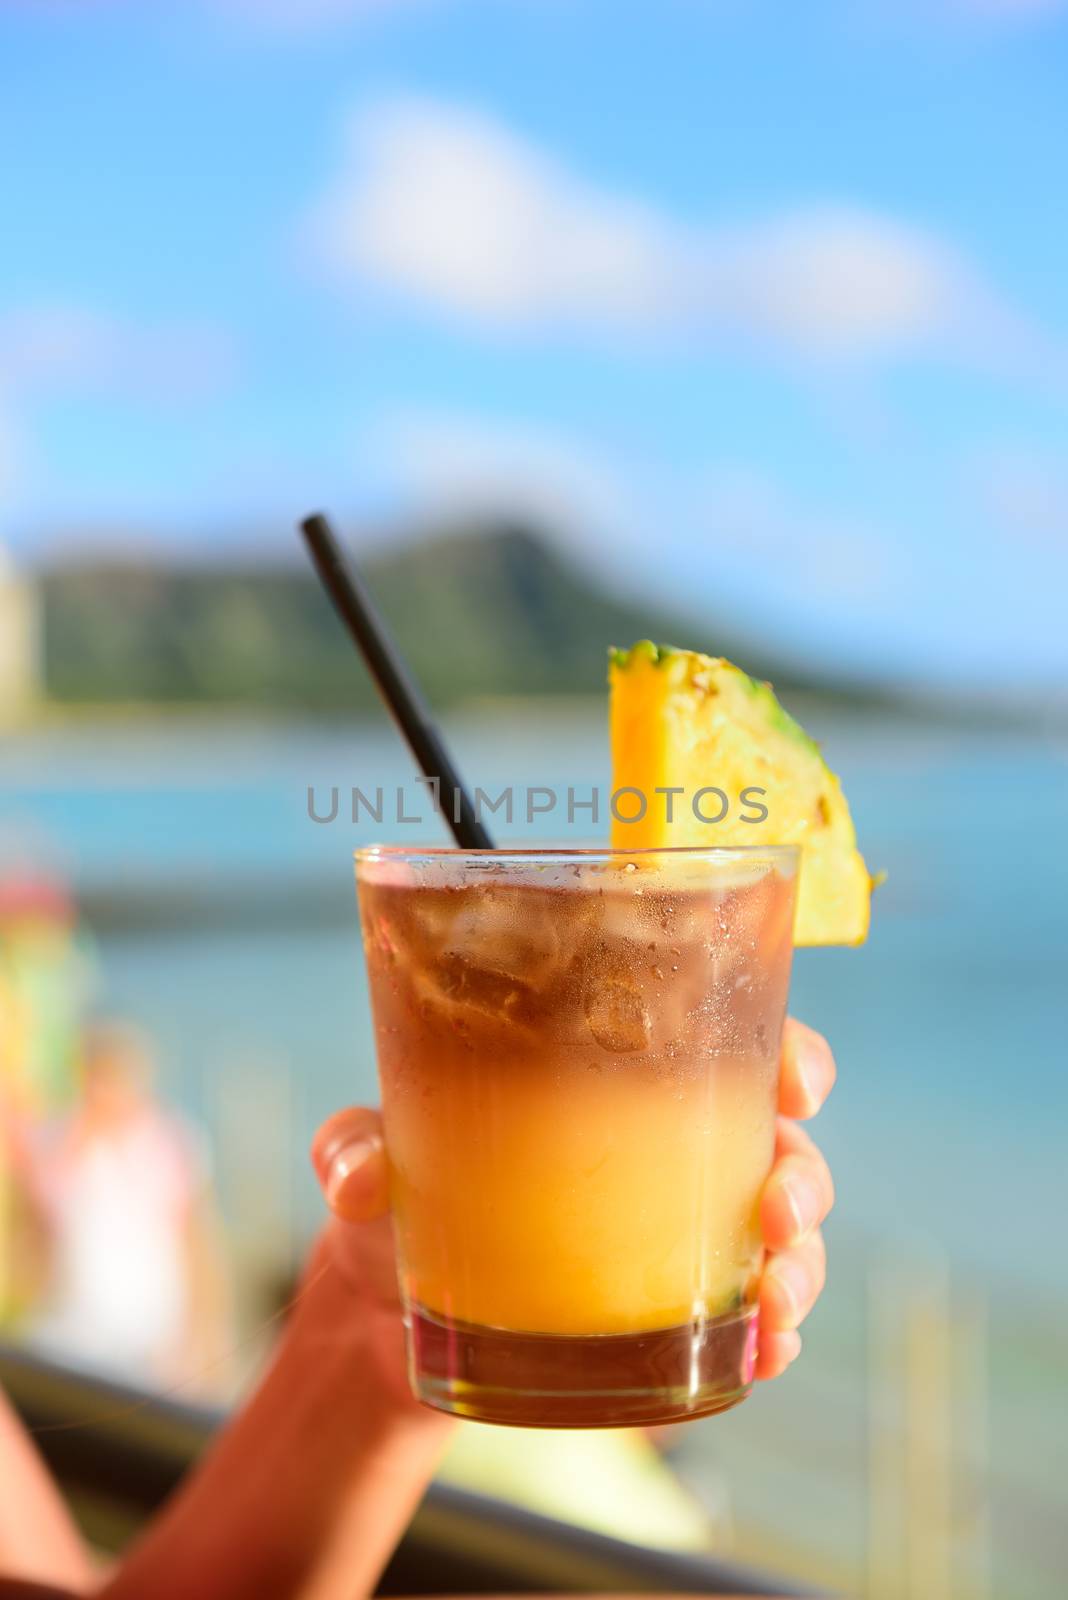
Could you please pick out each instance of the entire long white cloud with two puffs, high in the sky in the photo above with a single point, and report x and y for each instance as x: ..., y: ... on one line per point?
x: 453, y: 210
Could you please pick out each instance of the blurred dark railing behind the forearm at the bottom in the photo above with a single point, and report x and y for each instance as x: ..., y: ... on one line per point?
x: 119, y: 1454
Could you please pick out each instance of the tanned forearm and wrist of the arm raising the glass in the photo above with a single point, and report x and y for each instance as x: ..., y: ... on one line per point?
x: 311, y: 1486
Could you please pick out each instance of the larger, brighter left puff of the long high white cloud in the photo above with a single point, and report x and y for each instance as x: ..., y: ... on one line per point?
x: 458, y: 212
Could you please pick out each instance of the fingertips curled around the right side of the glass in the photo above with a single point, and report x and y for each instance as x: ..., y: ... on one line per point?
x: 797, y: 1198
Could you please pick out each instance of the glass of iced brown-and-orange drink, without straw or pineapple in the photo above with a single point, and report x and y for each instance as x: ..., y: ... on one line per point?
x: 580, y: 1065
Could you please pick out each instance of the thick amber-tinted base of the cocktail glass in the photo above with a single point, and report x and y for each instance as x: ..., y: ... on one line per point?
x: 543, y: 1380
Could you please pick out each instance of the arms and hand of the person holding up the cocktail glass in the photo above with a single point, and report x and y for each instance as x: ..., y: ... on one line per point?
x: 314, y: 1481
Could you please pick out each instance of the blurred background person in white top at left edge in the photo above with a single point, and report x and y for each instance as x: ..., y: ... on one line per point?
x: 135, y: 1282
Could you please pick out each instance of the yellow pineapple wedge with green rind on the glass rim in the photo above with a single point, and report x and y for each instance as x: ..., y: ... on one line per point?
x: 690, y: 721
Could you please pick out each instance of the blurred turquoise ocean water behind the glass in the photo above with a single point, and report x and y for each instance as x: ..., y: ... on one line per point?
x: 226, y: 926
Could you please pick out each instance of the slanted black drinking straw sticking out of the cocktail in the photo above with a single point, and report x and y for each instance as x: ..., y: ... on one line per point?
x: 397, y: 687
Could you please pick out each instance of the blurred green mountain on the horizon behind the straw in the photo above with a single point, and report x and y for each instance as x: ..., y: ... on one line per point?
x: 484, y: 612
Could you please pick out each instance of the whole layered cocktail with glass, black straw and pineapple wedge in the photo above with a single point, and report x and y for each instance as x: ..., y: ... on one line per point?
x: 580, y: 1050
